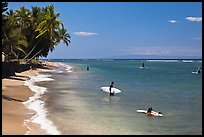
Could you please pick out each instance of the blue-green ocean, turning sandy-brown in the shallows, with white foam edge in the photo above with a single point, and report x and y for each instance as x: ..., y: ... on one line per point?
x: 73, y: 103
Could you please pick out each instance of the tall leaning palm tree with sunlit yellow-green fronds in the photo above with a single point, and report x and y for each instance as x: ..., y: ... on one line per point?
x: 45, y: 31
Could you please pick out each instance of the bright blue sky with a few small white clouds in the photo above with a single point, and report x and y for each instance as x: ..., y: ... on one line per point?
x: 127, y: 29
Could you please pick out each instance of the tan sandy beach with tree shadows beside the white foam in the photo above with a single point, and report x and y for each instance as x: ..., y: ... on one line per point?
x: 14, y: 93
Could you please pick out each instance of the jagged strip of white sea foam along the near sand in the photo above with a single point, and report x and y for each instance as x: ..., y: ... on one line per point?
x: 35, y: 104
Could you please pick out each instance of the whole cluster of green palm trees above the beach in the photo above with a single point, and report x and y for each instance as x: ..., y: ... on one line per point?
x: 31, y: 34
